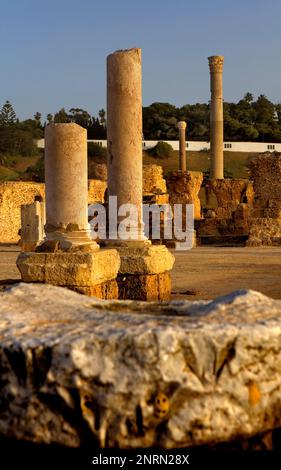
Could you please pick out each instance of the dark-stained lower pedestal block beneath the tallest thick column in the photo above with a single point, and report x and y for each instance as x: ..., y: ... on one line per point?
x: 150, y: 287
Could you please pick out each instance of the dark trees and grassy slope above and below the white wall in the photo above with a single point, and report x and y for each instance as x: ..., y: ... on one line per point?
x: 248, y: 119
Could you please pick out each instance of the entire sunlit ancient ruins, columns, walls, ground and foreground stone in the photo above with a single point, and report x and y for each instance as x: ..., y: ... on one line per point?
x: 108, y: 340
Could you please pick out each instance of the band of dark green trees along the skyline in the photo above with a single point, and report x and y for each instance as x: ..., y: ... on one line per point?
x: 248, y: 120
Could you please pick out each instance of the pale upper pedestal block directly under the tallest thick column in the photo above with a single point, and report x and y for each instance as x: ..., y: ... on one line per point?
x: 151, y: 259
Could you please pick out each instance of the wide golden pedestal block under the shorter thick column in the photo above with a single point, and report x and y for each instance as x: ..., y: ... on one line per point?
x: 80, y: 269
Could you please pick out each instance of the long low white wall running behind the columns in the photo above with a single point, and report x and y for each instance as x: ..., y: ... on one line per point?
x: 197, y: 146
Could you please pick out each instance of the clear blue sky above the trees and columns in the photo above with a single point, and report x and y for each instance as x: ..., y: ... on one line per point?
x: 53, y: 52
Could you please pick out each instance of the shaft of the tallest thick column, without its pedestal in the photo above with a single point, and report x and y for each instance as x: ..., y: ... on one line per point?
x: 124, y: 132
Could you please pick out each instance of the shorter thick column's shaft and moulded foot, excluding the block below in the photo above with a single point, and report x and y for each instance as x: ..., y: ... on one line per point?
x: 66, y: 178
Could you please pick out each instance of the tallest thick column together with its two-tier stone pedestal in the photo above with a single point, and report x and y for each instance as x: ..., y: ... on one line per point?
x: 144, y: 271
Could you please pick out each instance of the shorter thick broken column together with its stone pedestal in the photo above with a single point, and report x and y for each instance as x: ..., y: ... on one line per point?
x: 68, y: 256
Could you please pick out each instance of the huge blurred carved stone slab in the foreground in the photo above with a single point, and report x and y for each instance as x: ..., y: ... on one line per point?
x: 133, y: 374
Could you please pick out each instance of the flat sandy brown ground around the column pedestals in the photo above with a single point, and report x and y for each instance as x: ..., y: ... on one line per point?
x: 204, y: 272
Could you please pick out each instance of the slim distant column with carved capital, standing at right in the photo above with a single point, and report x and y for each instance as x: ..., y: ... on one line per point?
x: 216, y: 116
